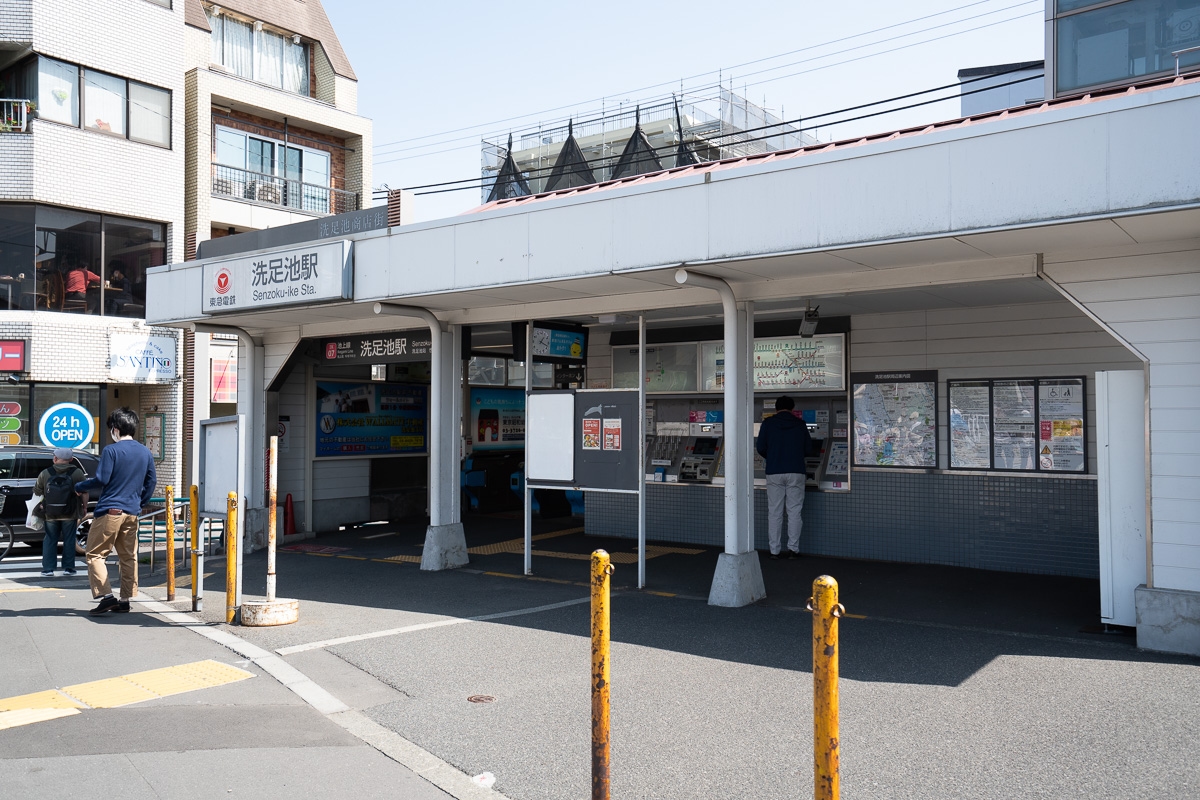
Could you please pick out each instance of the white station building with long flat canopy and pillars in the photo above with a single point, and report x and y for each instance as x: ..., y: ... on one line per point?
x: 1004, y: 365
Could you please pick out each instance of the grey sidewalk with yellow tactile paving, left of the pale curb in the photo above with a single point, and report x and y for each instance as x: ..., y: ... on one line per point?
x: 250, y: 738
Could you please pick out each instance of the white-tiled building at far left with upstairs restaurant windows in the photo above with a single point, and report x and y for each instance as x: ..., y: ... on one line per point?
x: 92, y: 170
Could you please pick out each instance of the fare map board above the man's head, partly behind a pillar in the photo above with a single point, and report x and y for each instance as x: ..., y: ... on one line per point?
x: 787, y: 364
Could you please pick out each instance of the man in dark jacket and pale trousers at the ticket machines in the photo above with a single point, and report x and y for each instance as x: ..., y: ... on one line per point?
x: 784, y: 442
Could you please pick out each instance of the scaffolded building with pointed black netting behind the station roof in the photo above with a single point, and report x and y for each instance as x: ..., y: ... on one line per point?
x: 633, y: 141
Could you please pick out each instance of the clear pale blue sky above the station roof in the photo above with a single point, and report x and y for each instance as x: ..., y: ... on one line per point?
x: 437, y: 77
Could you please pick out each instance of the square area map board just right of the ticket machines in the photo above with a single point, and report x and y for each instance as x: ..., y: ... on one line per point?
x: 896, y: 419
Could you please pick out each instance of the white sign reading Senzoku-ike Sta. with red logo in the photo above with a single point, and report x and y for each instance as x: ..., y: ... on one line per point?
x: 298, y: 275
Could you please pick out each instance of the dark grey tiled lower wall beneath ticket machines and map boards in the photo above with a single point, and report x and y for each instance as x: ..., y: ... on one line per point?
x: 988, y: 522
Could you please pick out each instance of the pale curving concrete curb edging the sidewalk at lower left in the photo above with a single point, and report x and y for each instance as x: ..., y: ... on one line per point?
x: 441, y: 774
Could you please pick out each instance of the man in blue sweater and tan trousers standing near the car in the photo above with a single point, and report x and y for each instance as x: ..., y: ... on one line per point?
x: 127, y: 478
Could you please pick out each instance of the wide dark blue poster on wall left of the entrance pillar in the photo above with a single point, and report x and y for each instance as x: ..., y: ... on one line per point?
x: 371, y: 419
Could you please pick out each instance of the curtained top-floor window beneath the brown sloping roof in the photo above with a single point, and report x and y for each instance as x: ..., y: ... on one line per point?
x: 268, y: 57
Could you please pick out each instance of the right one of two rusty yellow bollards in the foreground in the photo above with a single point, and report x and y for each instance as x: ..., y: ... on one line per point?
x: 826, y: 612
